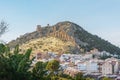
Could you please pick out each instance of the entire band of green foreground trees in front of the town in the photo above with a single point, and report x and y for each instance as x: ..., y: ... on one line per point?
x: 15, y: 66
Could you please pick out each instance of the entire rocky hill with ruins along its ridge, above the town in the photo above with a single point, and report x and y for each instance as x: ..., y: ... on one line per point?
x: 63, y: 37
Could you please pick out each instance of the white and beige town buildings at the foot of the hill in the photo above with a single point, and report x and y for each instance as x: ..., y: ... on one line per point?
x: 93, y: 64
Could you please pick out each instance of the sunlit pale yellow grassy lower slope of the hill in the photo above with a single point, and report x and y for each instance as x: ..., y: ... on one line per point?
x: 49, y: 44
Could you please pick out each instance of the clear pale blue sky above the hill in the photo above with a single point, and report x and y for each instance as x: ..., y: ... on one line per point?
x: 99, y: 17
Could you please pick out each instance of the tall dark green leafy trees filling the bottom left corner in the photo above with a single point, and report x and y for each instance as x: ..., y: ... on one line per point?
x: 14, y: 66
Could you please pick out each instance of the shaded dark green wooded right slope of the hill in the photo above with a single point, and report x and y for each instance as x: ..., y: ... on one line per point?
x: 96, y: 42
